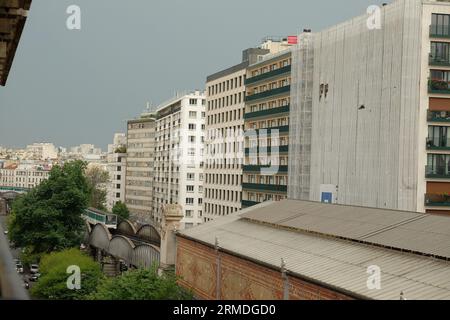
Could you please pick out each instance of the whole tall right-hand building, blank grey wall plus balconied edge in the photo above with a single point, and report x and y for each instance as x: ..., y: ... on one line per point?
x: 373, y: 141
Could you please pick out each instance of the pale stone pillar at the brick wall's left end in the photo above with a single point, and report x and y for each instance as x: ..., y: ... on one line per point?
x: 172, y: 215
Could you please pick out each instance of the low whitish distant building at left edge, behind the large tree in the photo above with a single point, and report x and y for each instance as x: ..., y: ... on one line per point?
x: 23, y: 176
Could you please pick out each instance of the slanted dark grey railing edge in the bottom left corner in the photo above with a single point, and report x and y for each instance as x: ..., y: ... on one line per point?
x: 11, y: 287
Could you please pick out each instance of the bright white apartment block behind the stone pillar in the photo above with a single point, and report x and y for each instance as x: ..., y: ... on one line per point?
x: 179, y: 147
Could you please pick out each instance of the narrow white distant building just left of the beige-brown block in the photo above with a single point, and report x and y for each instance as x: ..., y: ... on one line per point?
x: 116, y: 160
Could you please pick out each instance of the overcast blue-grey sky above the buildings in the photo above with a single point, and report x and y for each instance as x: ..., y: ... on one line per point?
x: 73, y: 87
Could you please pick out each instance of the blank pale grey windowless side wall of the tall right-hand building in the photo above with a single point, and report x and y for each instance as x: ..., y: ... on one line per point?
x: 365, y: 131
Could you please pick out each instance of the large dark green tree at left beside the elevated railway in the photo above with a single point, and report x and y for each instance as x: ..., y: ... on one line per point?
x: 48, y: 218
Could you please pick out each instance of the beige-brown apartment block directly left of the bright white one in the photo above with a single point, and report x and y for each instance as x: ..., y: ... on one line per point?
x: 140, y: 167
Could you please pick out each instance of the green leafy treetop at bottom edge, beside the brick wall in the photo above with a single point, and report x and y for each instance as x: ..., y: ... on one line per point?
x: 142, y: 284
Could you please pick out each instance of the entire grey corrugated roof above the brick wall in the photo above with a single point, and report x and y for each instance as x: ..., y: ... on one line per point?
x: 340, y: 263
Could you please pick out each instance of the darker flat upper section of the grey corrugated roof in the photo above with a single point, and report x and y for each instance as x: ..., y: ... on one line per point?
x: 408, y: 231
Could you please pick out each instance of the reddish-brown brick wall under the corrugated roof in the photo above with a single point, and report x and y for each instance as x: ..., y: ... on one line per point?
x: 240, y: 279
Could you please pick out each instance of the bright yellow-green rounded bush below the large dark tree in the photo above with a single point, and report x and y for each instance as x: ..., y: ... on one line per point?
x: 54, y: 277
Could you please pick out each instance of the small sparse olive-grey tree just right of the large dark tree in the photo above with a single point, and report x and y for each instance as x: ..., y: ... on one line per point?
x: 97, y: 179
